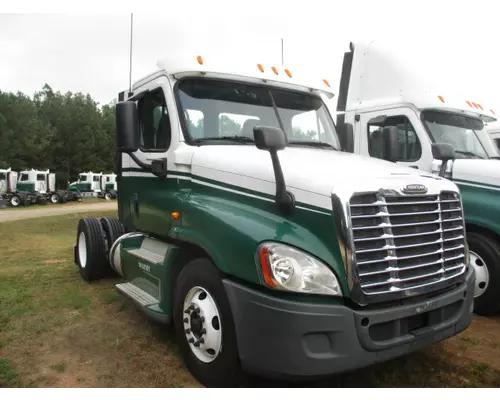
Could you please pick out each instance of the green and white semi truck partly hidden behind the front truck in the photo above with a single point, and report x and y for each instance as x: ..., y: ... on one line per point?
x: 382, y: 85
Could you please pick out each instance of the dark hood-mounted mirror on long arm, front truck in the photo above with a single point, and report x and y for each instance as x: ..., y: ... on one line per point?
x: 274, y: 139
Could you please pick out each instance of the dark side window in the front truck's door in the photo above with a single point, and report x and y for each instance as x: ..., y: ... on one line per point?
x: 154, y: 122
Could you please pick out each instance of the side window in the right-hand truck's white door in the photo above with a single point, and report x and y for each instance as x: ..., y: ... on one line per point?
x: 410, y: 149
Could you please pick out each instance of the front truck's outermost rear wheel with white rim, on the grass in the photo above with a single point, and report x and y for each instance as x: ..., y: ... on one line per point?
x: 91, y: 249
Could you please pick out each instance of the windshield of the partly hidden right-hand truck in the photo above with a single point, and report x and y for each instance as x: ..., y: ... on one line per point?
x: 468, y: 135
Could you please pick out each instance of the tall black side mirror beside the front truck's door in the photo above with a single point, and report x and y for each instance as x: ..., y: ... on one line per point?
x: 127, y: 127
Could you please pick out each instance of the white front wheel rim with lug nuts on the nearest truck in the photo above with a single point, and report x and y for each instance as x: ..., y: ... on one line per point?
x: 202, y: 324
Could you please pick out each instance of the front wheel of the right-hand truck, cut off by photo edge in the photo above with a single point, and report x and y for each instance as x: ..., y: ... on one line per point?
x: 485, y: 259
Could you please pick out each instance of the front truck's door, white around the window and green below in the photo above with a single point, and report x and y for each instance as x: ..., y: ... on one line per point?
x: 150, y: 199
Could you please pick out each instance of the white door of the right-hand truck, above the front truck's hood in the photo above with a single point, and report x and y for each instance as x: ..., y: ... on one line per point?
x: 414, y: 144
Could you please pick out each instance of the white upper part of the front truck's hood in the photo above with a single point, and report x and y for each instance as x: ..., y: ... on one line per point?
x: 306, y: 171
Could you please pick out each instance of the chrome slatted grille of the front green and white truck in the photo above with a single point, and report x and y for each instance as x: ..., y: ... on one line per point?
x: 406, y: 242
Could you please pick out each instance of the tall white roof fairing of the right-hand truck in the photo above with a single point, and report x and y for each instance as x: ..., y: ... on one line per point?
x: 387, y: 73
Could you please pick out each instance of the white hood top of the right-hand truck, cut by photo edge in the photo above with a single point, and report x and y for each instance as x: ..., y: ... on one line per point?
x: 477, y: 171
